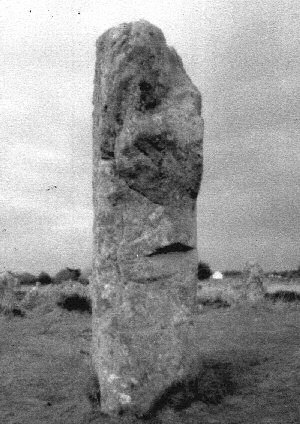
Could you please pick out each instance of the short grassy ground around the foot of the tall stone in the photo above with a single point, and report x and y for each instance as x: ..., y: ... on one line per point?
x: 248, y: 368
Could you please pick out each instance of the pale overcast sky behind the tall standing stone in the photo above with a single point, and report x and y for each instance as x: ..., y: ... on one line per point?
x: 242, y: 55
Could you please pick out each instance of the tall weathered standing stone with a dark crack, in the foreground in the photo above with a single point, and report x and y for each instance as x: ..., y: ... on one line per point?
x: 147, y: 159
